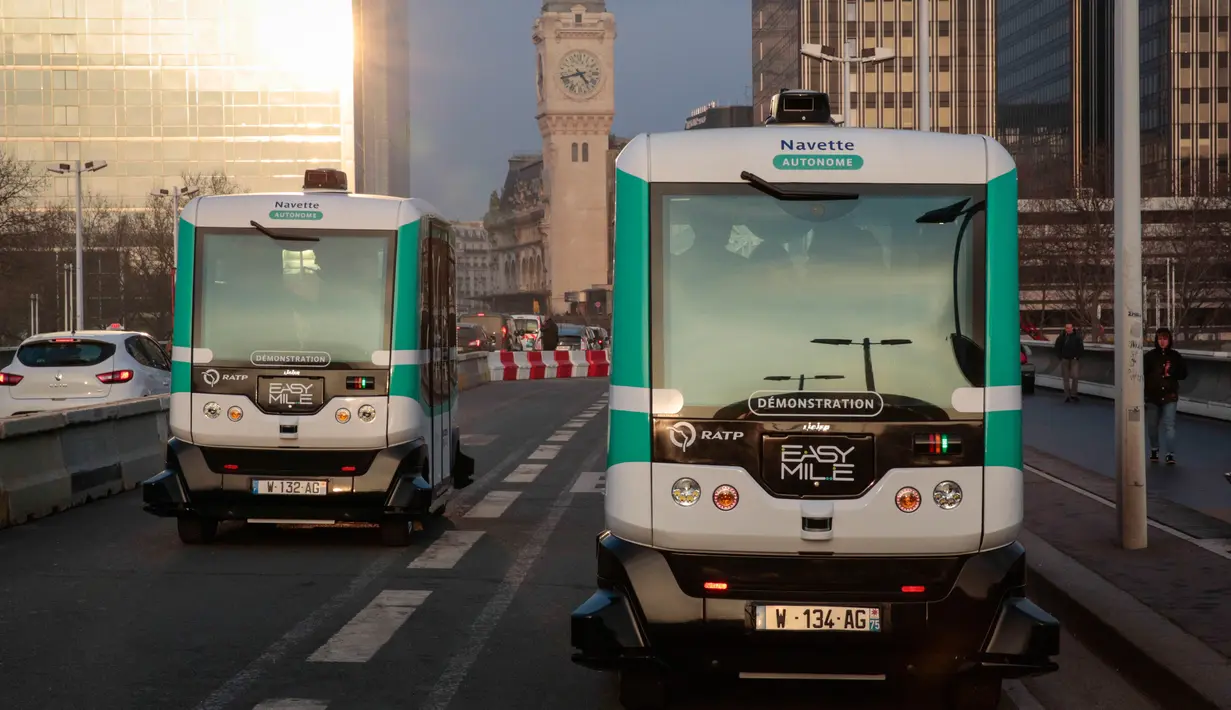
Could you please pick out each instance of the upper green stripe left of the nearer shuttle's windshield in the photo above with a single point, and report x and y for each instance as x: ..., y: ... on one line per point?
x: 631, y: 308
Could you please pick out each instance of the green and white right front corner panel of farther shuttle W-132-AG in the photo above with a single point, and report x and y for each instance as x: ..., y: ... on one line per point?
x: 407, y: 417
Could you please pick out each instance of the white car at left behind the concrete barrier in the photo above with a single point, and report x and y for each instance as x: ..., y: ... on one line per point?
x: 62, y: 371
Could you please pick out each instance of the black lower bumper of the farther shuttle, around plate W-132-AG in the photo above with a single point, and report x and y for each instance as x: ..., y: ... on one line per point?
x: 392, y: 485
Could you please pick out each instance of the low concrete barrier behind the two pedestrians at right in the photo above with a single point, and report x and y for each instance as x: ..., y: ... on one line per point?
x: 1207, y: 392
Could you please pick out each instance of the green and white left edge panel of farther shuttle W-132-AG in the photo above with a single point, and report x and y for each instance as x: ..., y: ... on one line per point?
x: 182, y: 335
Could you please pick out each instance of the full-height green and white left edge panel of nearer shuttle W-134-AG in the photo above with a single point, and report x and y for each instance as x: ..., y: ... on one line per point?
x: 628, y: 501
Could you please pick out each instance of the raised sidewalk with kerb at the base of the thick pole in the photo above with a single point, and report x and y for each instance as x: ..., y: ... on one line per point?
x: 1163, y: 615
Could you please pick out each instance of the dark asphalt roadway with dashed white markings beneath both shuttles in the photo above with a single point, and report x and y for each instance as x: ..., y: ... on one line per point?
x: 103, y: 608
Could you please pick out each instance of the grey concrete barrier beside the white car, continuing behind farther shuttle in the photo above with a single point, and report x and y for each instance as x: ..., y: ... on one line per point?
x: 60, y: 461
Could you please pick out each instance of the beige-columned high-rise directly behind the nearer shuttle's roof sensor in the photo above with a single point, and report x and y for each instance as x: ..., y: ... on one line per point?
x: 963, y: 60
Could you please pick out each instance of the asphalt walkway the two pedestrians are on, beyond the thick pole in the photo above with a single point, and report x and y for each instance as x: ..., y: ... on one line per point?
x: 1085, y: 435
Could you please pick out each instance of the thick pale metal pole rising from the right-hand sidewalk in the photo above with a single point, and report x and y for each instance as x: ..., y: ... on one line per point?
x: 1129, y: 397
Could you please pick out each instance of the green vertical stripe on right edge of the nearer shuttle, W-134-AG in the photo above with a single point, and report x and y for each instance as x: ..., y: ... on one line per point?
x: 1004, y: 369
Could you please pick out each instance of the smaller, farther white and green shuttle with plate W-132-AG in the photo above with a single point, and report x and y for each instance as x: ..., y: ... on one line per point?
x: 315, y: 364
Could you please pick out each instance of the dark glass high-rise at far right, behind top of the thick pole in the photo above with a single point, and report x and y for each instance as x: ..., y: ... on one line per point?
x: 1057, y: 72
